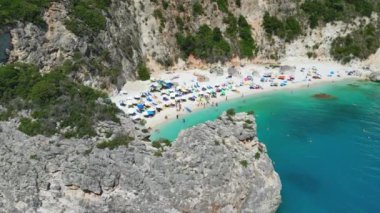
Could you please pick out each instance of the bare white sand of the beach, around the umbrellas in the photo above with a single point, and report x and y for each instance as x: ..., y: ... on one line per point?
x: 303, y: 73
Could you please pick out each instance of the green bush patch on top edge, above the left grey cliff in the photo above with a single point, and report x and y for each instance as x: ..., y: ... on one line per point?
x: 86, y: 17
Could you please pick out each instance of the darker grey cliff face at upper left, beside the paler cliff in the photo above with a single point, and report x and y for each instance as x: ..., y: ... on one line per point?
x: 116, y: 47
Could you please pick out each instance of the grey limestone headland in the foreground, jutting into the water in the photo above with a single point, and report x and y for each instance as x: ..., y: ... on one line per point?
x: 215, y: 167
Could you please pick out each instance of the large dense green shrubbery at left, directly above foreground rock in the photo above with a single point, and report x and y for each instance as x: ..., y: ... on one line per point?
x: 55, y: 101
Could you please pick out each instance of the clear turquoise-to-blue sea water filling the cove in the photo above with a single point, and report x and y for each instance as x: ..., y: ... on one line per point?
x: 327, y: 152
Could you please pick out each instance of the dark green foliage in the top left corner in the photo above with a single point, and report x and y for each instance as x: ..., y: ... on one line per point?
x: 22, y: 10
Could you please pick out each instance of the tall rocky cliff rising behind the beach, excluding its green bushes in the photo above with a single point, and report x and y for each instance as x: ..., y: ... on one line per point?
x: 145, y: 30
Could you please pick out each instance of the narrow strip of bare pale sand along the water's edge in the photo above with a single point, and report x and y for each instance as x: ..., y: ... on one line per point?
x: 155, y: 122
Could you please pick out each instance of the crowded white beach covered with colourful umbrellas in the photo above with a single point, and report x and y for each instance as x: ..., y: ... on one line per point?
x: 237, y: 82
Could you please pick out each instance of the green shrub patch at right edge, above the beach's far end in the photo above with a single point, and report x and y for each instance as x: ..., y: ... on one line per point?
x: 358, y: 44
